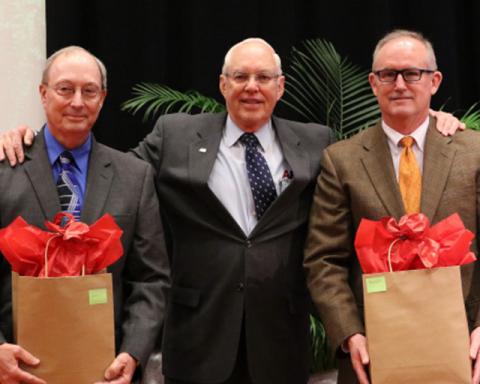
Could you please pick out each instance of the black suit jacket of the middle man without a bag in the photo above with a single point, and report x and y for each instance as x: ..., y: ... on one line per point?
x: 222, y: 280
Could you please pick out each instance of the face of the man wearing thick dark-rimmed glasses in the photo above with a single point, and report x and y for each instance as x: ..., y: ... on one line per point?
x: 404, y: 105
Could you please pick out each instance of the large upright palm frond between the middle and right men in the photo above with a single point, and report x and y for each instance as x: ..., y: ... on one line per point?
x: 325, y: 88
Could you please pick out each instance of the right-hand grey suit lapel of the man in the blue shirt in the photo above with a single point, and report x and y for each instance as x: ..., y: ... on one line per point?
x: 99, y: 182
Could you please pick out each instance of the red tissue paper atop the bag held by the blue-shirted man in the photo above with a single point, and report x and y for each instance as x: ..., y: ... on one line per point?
x: 69, y: 248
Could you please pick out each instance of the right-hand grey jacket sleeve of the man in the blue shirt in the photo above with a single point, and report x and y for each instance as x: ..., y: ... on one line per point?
x: 146, y: 277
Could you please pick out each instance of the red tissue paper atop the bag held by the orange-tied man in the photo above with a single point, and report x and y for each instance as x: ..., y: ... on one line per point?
x: 415, y: 245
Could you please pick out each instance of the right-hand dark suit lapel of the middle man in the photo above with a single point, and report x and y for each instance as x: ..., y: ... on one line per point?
x: 299, y: 162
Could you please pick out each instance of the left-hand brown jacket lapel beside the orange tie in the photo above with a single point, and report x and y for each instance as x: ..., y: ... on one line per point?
x: 377, y: 161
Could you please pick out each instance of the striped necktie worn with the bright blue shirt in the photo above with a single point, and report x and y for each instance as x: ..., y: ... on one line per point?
x: 68, y: 187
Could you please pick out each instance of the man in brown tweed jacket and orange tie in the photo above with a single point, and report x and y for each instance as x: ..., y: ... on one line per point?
x: 360, y: 179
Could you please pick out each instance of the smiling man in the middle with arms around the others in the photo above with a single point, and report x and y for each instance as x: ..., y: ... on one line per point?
x: 238, y: 310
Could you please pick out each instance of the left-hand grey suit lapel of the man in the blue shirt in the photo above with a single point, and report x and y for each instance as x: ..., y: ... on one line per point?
x: 39, y: 171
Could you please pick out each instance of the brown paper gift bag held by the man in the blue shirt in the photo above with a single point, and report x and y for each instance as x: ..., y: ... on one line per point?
x: 67, y: 322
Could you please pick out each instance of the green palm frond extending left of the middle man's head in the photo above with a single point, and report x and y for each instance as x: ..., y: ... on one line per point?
x: 156, y: 98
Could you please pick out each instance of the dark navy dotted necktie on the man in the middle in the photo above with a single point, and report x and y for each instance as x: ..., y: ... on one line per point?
x: 259, y: 176
